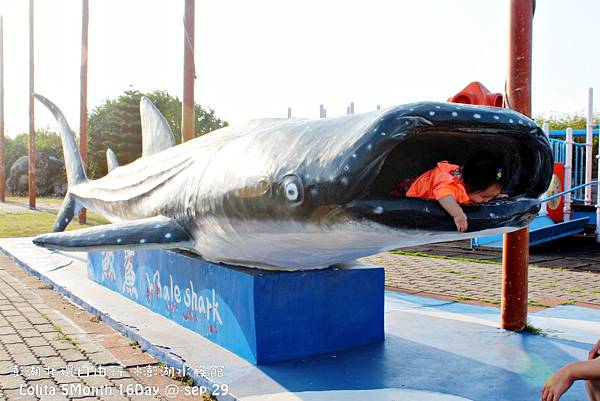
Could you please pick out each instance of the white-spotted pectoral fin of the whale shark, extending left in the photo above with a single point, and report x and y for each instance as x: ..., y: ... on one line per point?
x: 156, y: 232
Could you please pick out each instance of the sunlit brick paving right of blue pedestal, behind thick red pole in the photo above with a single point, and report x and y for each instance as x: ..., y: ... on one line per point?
x: 474, y: 281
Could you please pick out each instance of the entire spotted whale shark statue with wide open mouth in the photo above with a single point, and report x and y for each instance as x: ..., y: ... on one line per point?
x: 293, y: 194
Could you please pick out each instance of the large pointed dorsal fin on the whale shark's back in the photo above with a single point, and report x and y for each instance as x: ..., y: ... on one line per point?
x: 156, y: 133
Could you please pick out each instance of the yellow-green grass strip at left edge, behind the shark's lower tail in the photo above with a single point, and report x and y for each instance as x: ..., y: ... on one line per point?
x: 28, y: 224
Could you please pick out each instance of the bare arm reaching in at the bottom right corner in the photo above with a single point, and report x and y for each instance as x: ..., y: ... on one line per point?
x: 563, y: 379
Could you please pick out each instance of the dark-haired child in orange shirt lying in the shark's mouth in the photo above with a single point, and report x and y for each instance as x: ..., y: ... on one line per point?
x: 478, y: 181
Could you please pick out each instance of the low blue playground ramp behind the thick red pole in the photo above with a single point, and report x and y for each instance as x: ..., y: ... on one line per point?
x: 542, y: 229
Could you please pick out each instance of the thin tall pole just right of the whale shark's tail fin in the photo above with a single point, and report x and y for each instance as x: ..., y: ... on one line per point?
x: 83, y: 93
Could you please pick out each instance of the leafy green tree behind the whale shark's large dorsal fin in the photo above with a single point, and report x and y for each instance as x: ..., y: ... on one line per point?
x: 116, y: 124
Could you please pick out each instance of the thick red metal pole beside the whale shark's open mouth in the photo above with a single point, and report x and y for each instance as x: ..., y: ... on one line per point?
x: 515, y: 259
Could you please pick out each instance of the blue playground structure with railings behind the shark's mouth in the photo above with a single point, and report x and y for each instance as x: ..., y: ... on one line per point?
x: 567, y: 207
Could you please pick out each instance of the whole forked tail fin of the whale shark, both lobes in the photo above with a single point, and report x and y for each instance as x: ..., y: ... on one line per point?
x: 73, y: 164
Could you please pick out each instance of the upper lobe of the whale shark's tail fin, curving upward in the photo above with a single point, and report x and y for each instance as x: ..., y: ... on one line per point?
x: 73, y: 162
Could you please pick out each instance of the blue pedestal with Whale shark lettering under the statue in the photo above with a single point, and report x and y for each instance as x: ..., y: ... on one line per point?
x: 262, y: 316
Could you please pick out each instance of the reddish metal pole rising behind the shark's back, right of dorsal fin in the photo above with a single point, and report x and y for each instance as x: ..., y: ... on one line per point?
x: 188, y: 116
